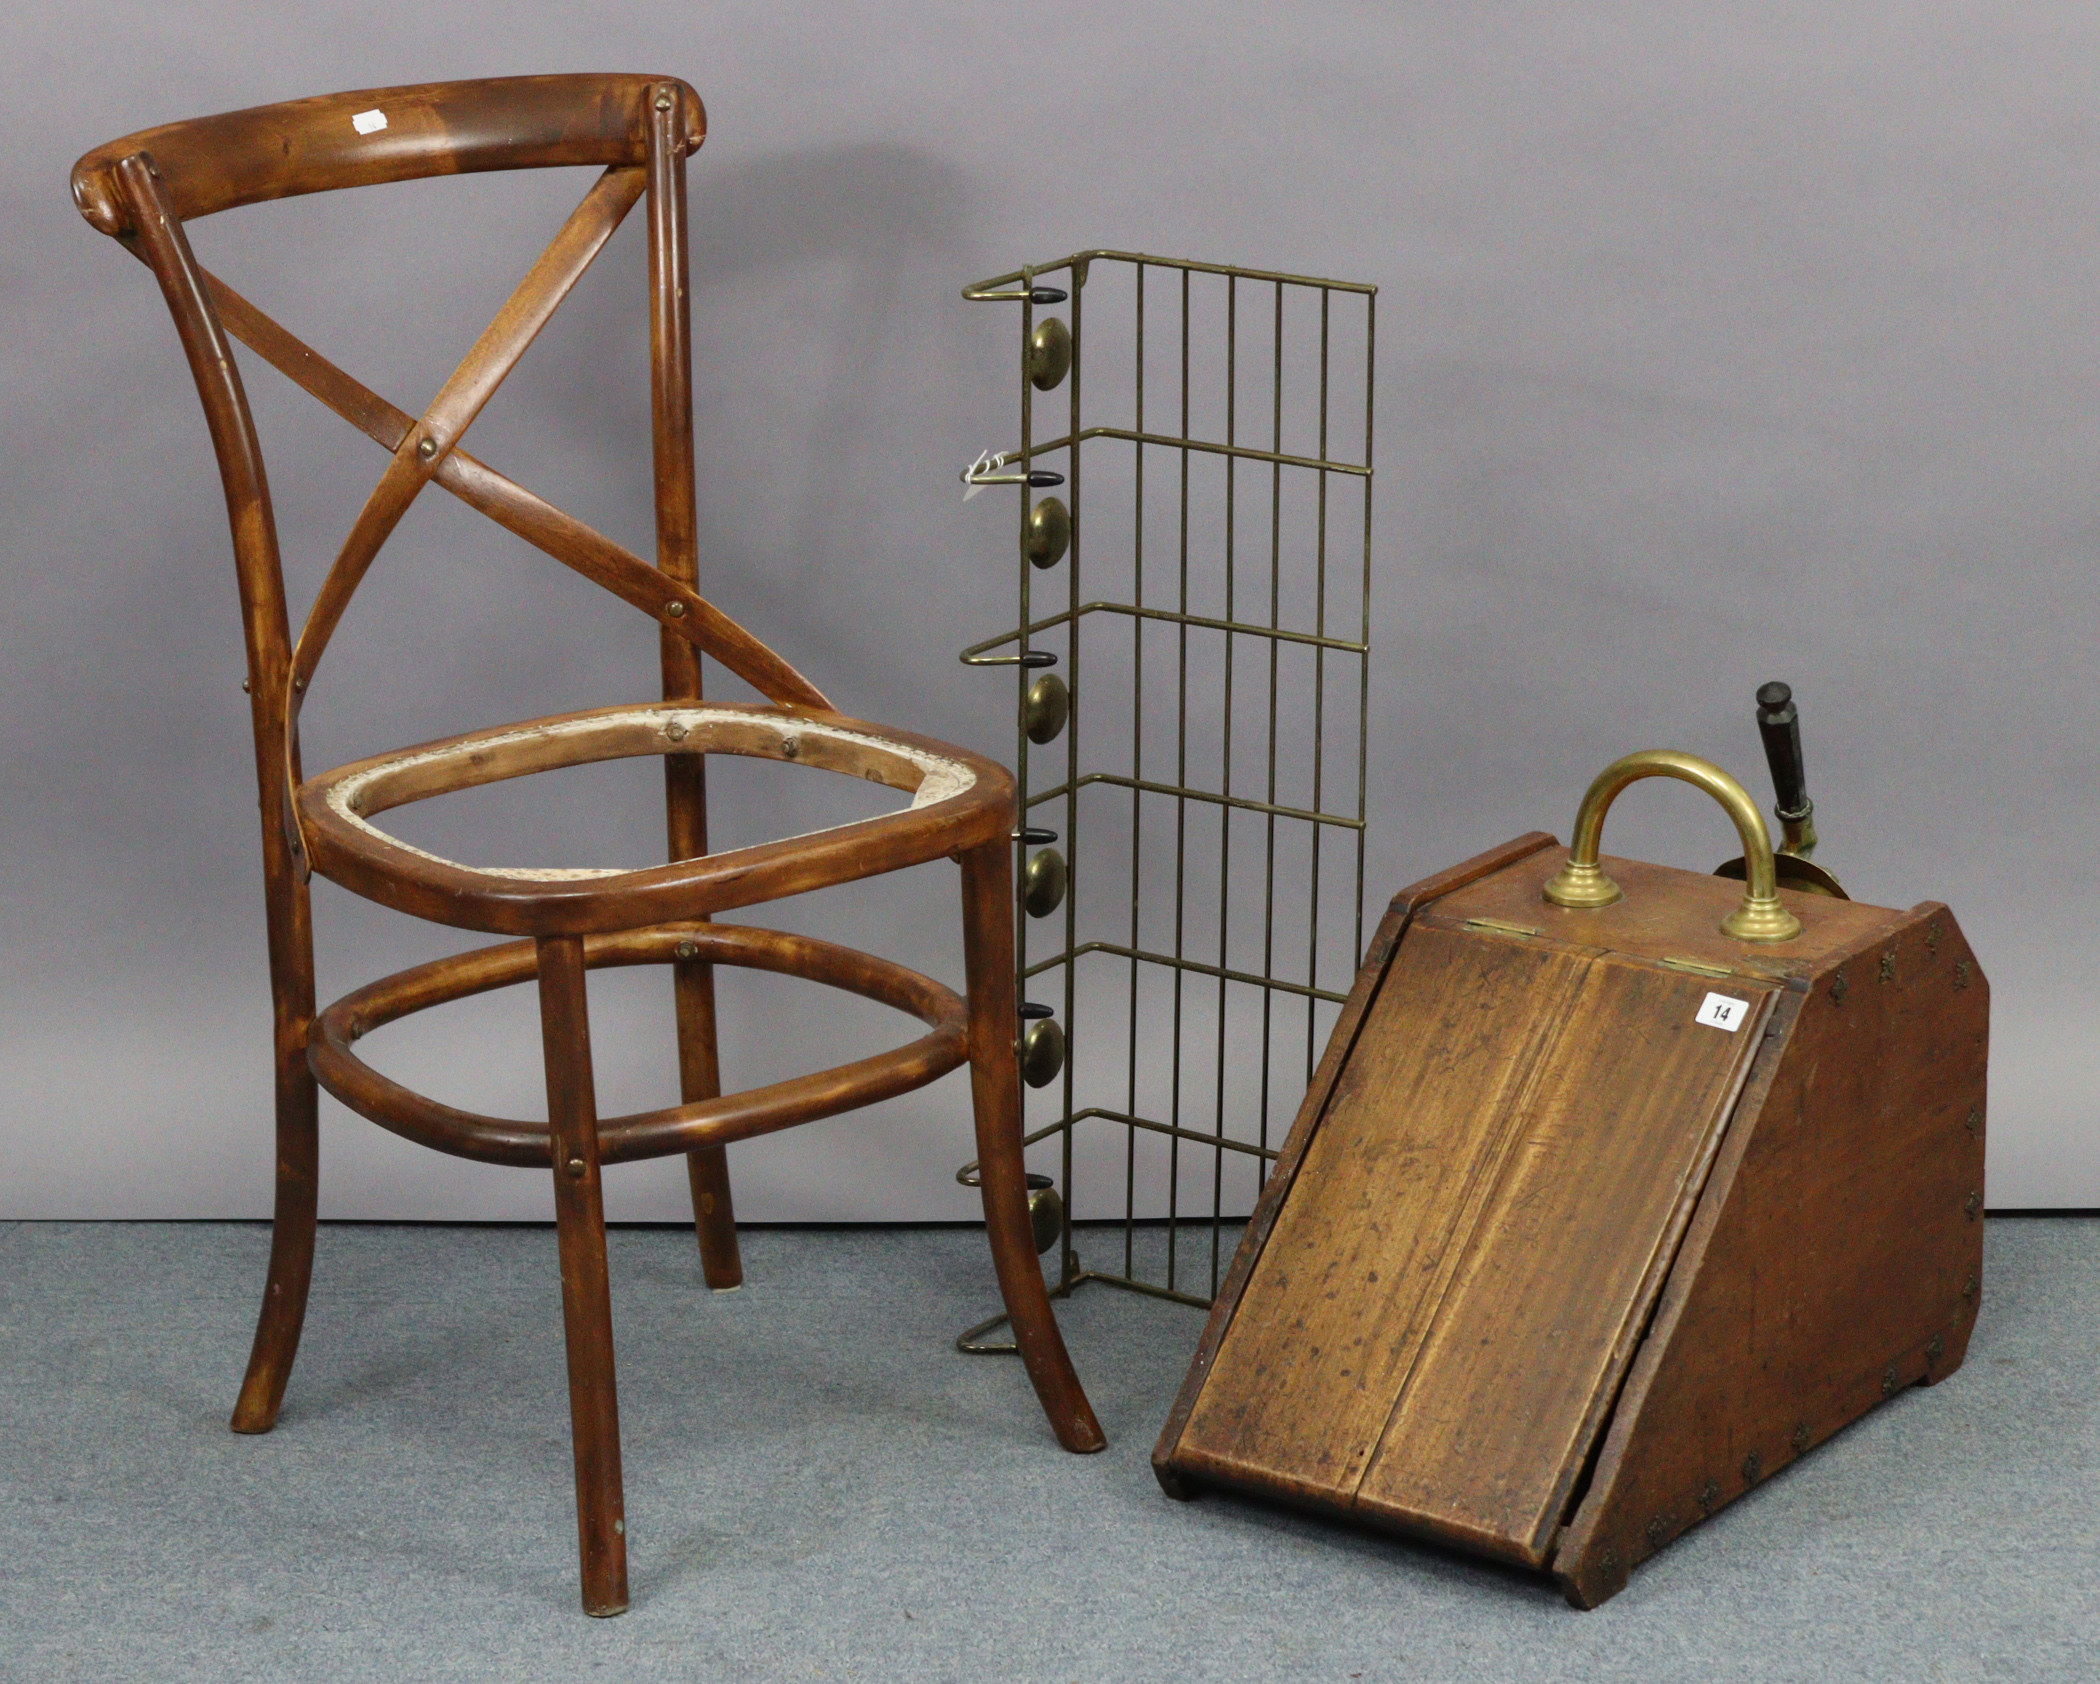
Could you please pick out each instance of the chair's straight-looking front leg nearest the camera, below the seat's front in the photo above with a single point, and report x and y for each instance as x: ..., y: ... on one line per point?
x: 587, y: 1301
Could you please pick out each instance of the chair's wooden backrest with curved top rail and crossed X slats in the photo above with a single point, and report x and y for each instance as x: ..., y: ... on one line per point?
x: 639, y: 129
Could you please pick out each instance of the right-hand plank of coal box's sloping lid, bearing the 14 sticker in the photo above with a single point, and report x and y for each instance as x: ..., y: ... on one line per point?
x: 1534, y: 1336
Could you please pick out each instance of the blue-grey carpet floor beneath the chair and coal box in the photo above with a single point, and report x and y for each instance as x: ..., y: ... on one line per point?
x: 820, y: 1488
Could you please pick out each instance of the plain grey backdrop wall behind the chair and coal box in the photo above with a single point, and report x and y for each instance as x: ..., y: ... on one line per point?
x: 1717, y: 343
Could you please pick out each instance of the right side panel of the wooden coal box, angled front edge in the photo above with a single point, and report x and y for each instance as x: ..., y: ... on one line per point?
x: 1836, y: 1257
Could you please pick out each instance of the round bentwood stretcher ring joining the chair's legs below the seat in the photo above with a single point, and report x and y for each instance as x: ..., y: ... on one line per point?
x: 654, y: 1133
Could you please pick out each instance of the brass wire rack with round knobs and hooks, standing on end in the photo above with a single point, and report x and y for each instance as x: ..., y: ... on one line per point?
x: 1200, y: 793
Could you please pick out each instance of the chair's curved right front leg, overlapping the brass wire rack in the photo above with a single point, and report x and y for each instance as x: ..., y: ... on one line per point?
x: 988, y: 942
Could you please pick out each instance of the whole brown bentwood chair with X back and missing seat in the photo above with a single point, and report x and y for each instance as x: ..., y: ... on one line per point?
x: 639, y: 129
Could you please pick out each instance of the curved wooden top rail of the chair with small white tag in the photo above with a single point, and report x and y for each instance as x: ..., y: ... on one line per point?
x: 314, y: 146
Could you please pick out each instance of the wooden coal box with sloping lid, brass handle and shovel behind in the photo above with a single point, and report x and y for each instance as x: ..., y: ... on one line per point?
x: 1618, y: 1190
